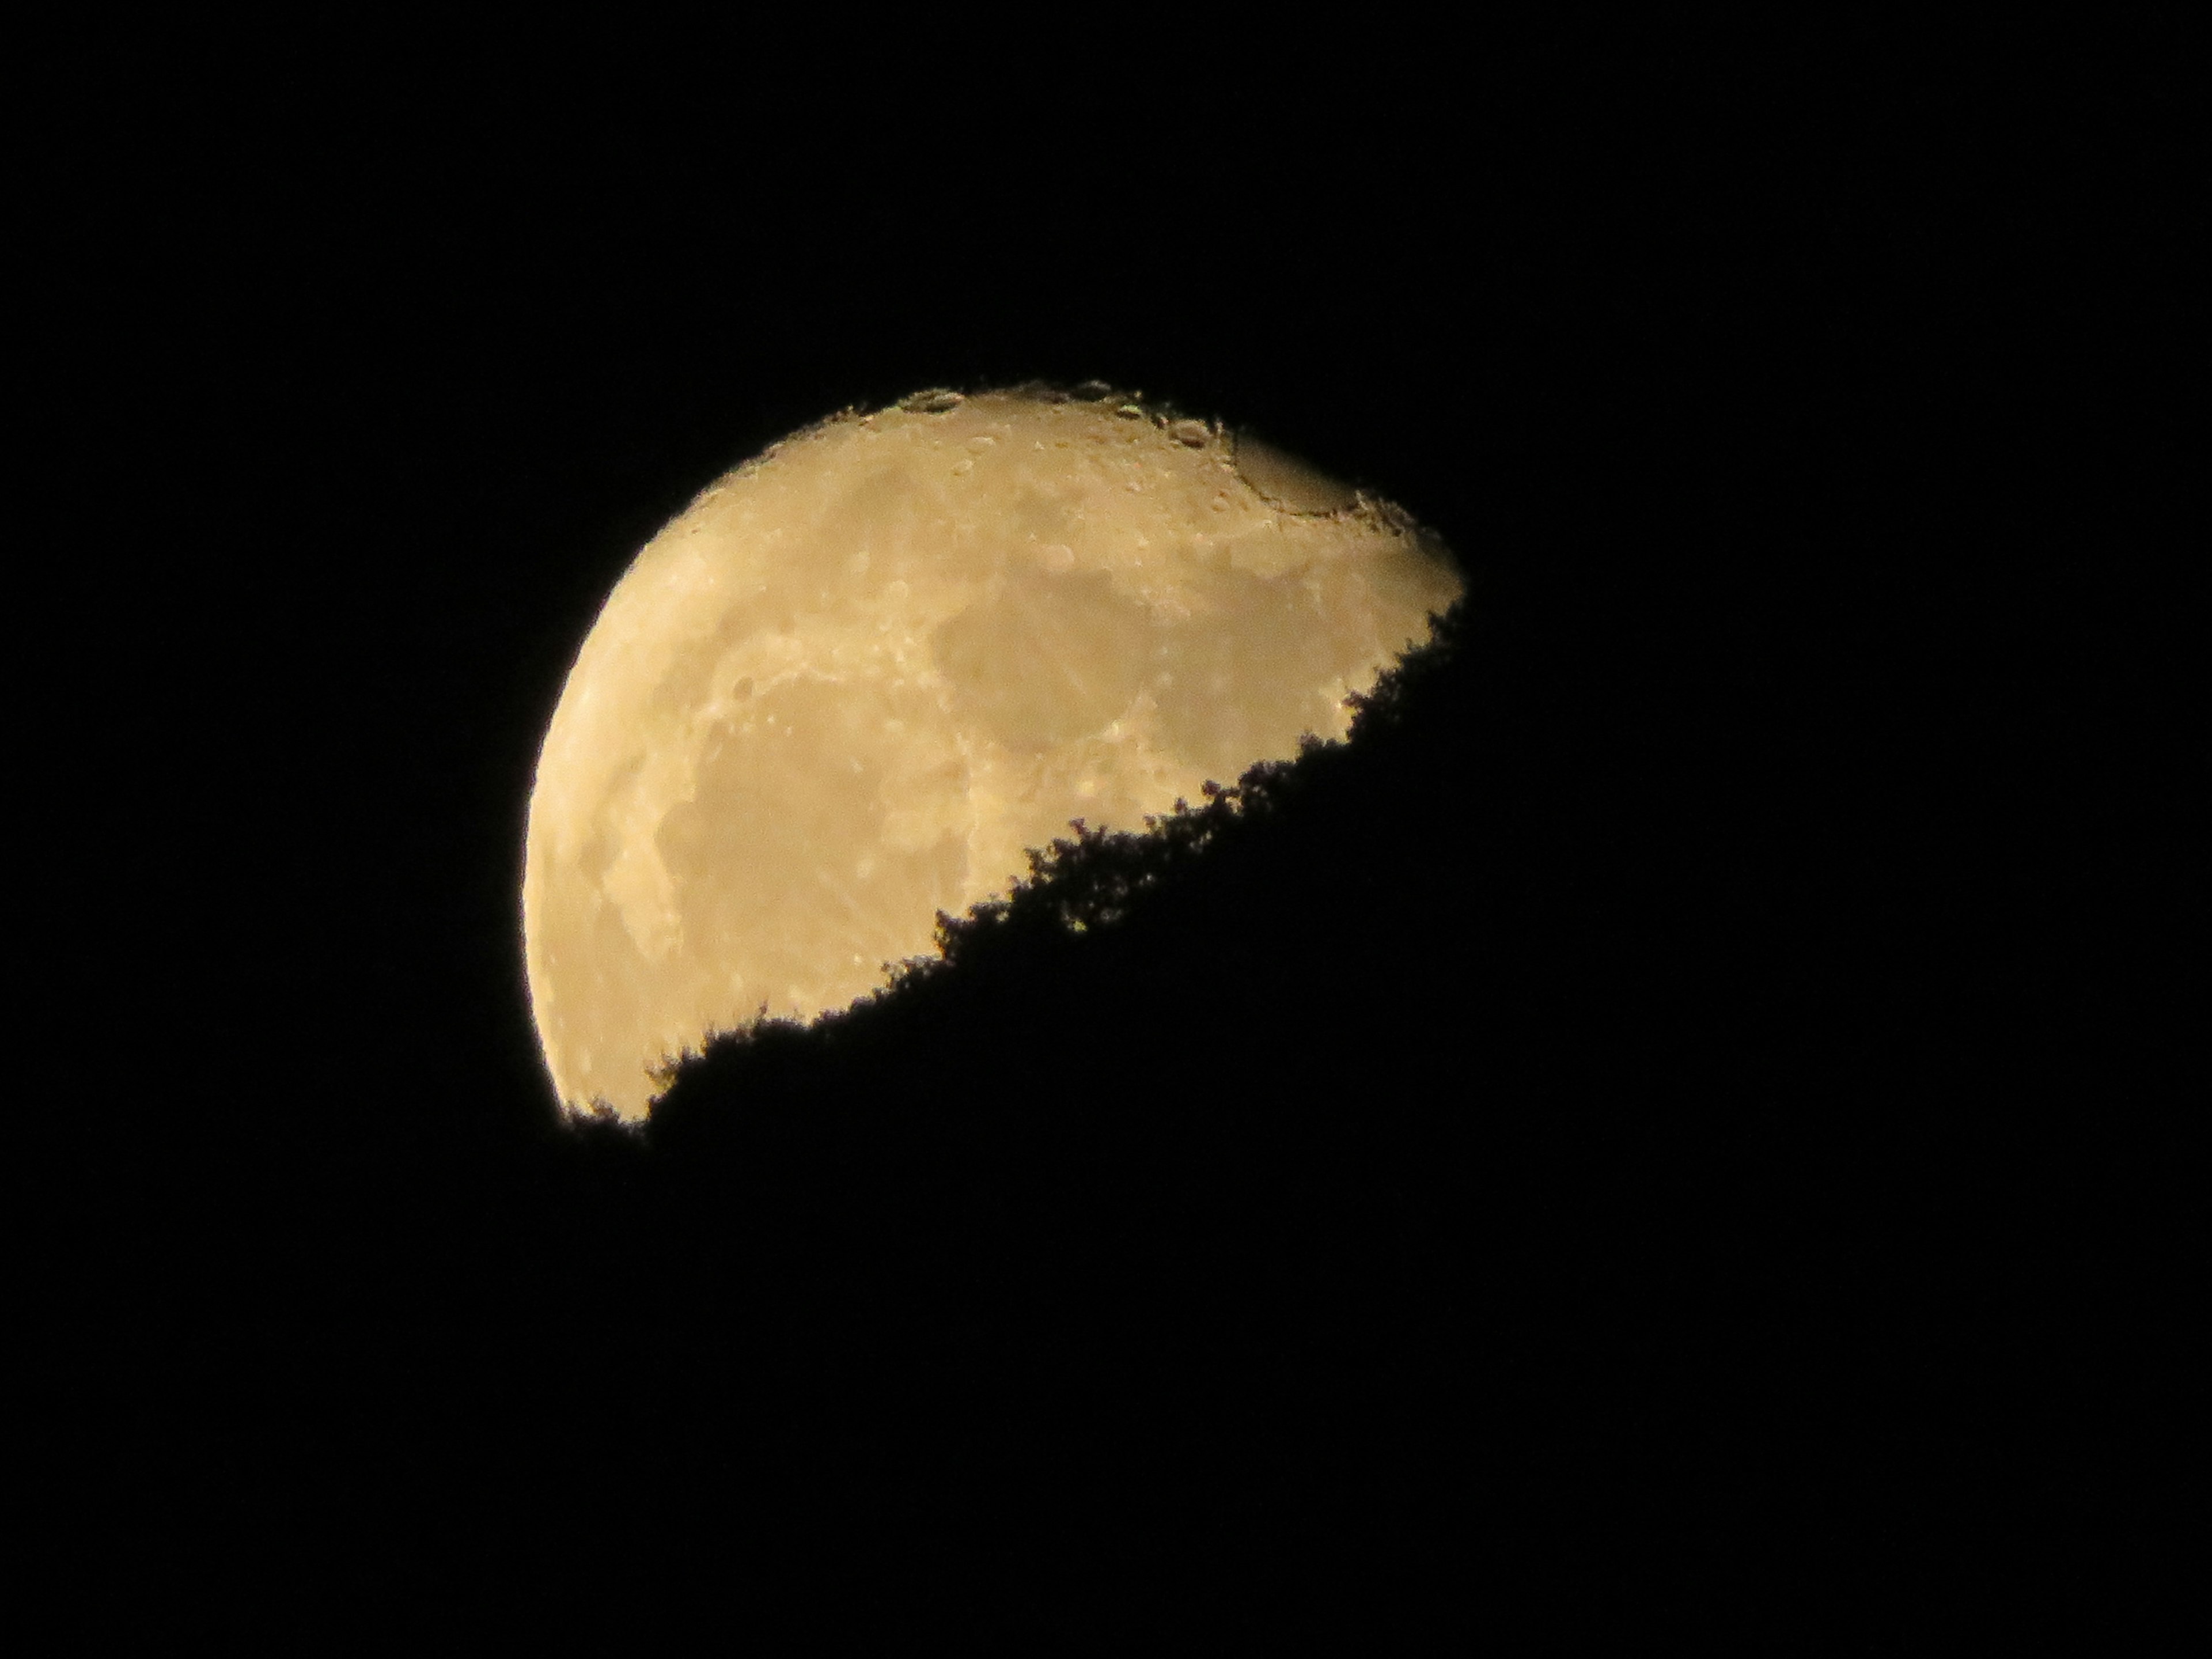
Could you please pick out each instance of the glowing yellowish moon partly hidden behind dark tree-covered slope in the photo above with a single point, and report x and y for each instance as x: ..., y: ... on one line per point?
x: 866, y: 671
